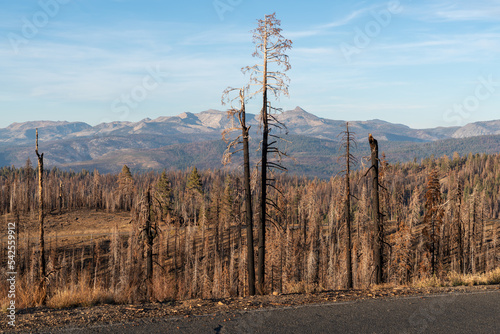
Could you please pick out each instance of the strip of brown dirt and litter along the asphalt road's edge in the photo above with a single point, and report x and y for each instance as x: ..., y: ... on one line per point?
x: 45, y: 319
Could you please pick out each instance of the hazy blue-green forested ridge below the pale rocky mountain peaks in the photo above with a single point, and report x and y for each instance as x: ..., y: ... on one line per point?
x: 313, y: 156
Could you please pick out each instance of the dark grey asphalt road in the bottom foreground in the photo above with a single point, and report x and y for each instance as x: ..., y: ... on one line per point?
x: 448, y: 313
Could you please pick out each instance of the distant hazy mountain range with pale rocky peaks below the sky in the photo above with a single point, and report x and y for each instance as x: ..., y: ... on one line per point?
x: 195, y: 139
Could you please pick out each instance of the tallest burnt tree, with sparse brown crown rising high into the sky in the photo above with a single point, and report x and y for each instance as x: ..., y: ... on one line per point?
x: 270, y: 46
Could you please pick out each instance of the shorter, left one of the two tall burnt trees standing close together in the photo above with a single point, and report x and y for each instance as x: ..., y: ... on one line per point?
x: 242, y: 139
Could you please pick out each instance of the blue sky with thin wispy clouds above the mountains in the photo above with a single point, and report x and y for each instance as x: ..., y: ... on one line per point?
x: 420, y: 63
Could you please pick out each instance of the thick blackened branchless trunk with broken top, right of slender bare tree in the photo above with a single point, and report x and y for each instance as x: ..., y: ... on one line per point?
x: 377, y: 217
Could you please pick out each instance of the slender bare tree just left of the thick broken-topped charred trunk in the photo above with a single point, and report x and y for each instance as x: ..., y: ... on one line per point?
x: 350, y: 160
